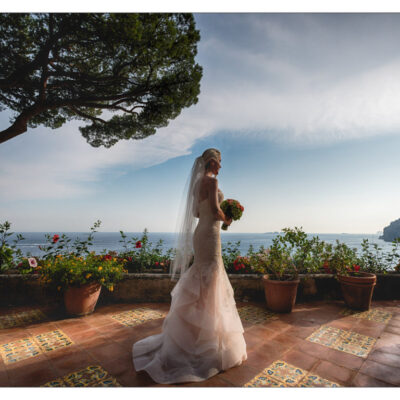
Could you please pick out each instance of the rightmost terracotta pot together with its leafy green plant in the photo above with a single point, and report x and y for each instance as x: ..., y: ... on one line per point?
x: 356, y: 283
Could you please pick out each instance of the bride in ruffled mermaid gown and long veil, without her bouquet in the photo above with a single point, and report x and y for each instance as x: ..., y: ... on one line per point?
x: 202, y: 333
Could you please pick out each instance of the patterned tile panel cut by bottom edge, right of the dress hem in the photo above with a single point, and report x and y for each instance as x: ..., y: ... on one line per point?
x: 282, y: 374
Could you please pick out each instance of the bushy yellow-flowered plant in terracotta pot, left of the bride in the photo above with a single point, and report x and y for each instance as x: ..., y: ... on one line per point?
x: 81, y: 278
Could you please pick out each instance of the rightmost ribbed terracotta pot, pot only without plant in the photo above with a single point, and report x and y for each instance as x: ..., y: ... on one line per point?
x: 357, y: 290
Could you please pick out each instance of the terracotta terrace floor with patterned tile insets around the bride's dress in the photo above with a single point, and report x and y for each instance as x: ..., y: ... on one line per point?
x: 318, y: 344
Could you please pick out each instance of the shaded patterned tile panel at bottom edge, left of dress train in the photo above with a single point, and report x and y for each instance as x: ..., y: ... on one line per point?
x: 91, y: 376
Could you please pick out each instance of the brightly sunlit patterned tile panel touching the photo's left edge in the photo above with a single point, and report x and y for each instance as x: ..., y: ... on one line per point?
x: 33, y: 346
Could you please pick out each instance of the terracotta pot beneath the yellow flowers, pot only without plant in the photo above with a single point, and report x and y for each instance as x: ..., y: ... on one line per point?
x: 82, y: 300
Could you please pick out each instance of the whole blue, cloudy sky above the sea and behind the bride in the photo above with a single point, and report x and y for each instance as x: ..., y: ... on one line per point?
x: 305, y: 109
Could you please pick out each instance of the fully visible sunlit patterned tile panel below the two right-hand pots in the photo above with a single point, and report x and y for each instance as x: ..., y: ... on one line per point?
x: 343, y: 340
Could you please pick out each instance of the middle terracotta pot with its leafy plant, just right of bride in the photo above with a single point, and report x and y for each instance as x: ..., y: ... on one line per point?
x: 280, y: 277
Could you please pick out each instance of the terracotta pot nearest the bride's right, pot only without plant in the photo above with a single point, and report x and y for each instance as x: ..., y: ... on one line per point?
x: 280, y: 295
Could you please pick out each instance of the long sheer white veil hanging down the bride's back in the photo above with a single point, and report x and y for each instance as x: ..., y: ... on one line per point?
x: 187, y: 221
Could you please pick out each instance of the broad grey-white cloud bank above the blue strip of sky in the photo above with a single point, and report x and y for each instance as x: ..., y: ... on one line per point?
x: 300, y: 79
